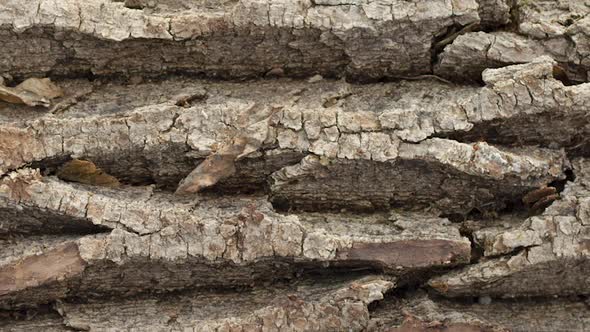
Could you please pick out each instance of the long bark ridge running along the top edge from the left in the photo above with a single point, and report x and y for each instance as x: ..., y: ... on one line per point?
x: 362, y: 39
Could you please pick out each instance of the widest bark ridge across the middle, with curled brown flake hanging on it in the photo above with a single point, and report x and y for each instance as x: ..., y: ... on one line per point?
x: 334, y: 127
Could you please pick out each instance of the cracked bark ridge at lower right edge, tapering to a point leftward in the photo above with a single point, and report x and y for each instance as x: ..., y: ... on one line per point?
x: 551, y: 244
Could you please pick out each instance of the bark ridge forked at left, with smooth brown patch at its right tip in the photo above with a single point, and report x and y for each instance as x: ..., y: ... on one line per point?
x: 166, y: 241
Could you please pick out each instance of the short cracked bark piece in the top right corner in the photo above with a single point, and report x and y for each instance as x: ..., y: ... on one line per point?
x: 558, y: 29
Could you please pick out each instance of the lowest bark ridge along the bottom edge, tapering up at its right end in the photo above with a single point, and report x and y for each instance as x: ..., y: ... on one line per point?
x: 328, y: 304
